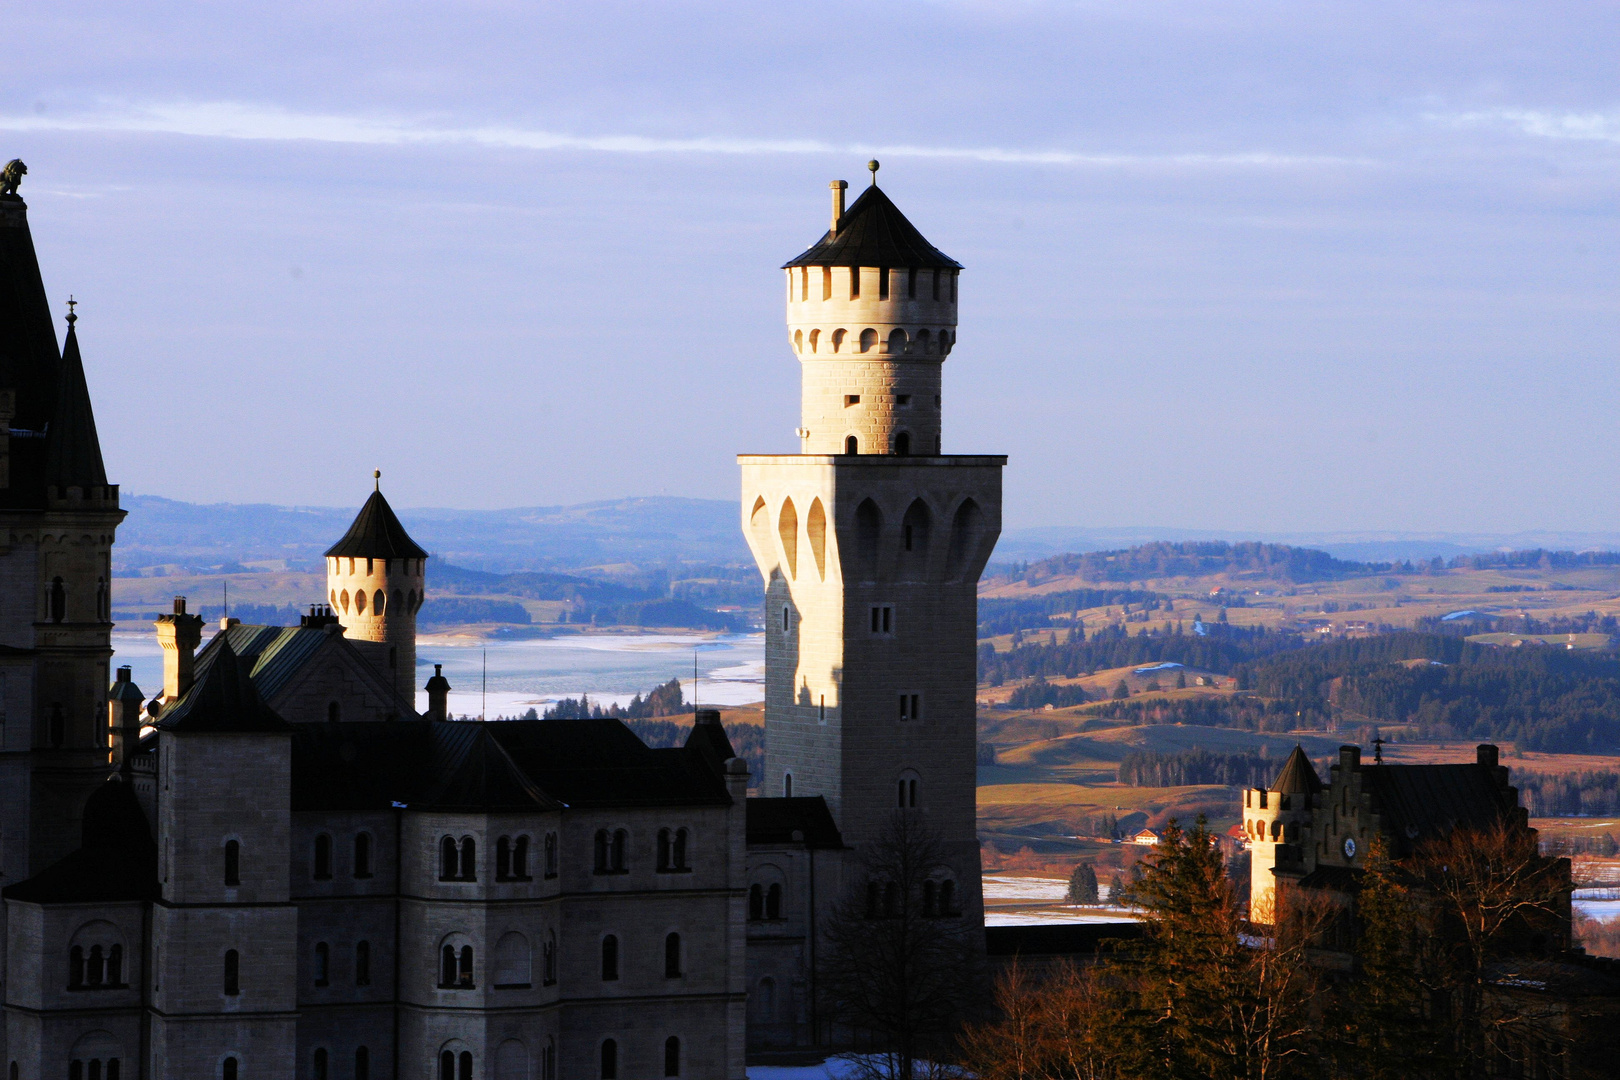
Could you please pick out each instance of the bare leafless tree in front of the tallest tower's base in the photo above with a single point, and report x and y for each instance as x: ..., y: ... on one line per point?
x: 902, y: 966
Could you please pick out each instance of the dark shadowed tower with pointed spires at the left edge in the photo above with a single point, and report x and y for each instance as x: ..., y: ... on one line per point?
x: 58, y: 522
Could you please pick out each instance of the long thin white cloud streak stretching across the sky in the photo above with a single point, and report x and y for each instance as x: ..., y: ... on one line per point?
x: 236, y: 121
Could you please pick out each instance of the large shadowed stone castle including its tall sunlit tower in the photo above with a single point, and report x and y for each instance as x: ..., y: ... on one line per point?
x: 279, y: 867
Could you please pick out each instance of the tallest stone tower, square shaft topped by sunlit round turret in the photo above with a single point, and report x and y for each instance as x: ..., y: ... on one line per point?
x: 872, y: 542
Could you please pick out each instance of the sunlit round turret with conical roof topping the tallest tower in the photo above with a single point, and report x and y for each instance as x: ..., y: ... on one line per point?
x: 872, y: 317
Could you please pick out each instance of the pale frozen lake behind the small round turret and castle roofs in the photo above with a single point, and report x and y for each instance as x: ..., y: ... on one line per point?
x: 537, y: 673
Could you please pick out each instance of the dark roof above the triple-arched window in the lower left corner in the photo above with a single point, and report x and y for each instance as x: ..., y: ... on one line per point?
x: 116, y: 862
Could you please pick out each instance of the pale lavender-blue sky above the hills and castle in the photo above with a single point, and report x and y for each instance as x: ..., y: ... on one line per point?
x: 1234, y: 266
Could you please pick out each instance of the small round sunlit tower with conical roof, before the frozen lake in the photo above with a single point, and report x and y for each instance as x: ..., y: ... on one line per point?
x: 375, y: 579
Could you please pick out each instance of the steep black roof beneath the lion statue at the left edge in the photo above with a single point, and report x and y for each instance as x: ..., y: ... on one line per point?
x: 30, y: 359
